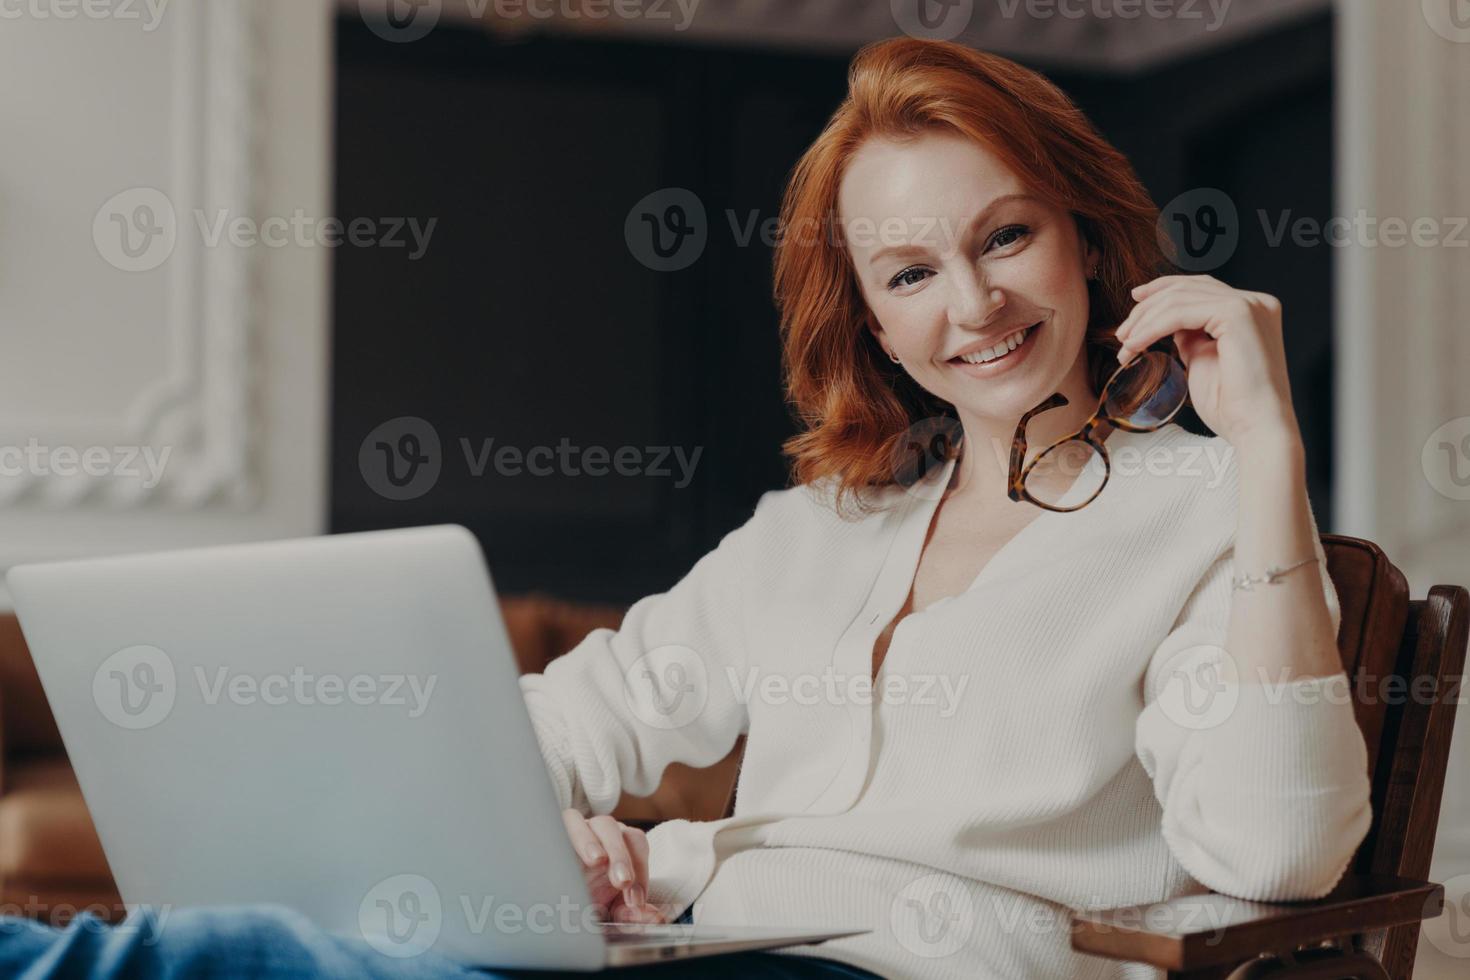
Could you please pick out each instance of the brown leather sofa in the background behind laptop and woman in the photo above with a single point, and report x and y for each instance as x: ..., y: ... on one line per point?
x: 52, y: 863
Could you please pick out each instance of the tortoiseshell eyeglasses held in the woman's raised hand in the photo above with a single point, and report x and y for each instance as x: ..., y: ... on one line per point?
x: 1141, y: 396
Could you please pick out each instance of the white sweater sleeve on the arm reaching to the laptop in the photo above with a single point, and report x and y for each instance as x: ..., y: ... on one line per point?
x: 620, y: 707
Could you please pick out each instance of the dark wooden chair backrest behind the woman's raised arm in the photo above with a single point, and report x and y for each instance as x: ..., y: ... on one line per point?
x: 1405, y: 659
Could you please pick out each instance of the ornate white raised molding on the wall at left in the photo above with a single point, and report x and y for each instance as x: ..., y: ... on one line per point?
x: 199, y: 408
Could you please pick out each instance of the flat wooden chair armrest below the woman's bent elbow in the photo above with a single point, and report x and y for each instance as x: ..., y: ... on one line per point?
x: 1205, y: 931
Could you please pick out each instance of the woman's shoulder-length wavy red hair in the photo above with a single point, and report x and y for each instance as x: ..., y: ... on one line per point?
x: 856, y: 406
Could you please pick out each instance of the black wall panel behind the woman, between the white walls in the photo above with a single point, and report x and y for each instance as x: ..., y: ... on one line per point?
x: 531, y: 323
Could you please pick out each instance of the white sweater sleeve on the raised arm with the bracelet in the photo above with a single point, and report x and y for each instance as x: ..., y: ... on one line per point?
x: 1265, y: 787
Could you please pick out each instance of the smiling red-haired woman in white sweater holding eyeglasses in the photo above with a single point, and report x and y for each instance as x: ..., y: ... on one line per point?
x: 968, y: 715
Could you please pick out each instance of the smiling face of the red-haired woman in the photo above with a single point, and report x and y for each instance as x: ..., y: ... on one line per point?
x: 955, y: 256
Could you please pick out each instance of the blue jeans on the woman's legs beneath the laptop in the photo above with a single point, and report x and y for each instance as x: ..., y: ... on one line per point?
x: 273, y: 943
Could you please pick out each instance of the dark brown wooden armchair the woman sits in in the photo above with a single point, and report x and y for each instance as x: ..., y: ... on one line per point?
x: 1406, y: 660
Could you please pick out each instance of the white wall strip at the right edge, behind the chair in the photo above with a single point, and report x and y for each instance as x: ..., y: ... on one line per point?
x: 1403, y: 345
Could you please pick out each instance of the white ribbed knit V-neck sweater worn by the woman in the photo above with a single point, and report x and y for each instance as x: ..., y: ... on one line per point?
x: 1022, y: 754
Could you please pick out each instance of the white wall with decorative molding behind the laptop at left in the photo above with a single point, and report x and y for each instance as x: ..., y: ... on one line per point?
x: 212, y: 353
